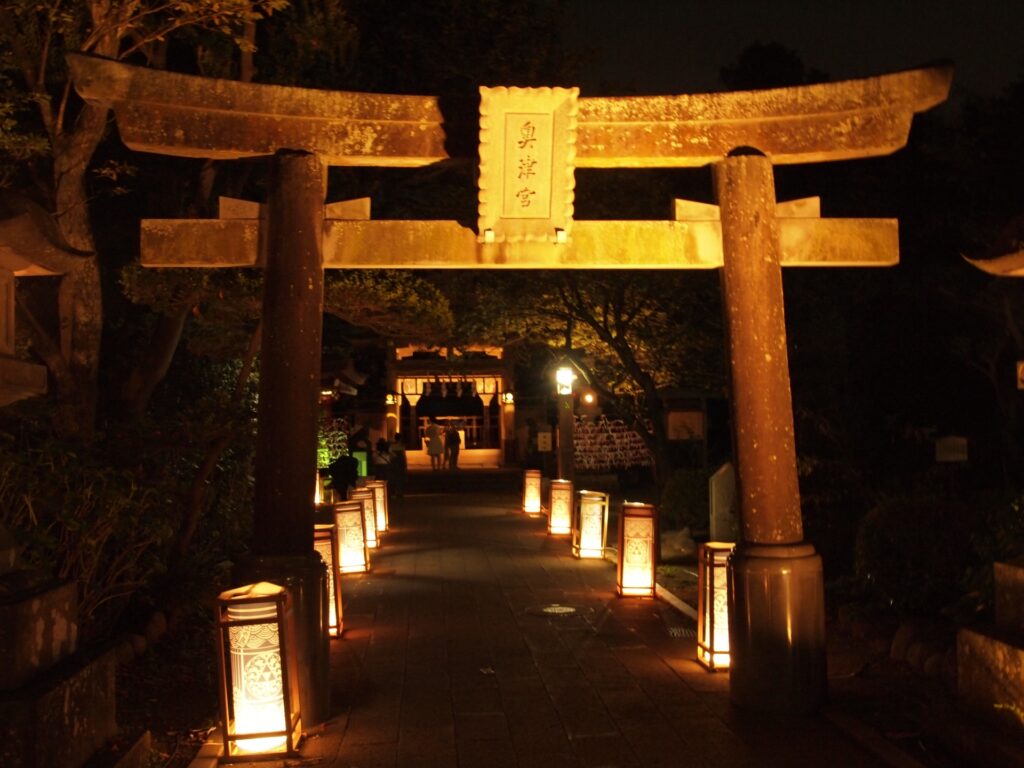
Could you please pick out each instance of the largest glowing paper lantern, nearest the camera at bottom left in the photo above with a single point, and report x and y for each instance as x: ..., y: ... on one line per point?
x: 260, y: 697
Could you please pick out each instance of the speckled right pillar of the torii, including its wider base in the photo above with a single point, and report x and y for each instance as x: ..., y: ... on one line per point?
x: 777, y: 595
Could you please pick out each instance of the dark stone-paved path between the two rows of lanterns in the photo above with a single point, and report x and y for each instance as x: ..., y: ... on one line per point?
x: 449, y: 660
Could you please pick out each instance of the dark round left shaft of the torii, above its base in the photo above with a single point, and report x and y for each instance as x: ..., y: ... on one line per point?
x: 290, y: 361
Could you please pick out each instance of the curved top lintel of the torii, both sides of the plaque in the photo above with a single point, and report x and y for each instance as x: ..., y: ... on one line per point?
x: 190, y: 116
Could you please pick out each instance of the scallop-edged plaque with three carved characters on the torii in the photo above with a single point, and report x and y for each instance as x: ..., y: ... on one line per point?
x: 528, y: 179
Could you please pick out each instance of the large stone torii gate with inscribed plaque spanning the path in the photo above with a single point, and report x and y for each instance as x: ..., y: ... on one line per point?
x: 527, y: 222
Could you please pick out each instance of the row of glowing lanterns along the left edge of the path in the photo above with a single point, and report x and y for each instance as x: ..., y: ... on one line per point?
x: 260, y: 695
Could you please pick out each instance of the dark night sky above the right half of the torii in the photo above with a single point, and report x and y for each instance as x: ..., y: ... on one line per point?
x: 678, y: 47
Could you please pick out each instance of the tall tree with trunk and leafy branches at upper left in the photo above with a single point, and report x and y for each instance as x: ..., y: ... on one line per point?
x: 36, y: 35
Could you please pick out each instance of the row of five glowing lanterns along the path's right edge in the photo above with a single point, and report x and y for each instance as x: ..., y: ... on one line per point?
x: 587, y: 523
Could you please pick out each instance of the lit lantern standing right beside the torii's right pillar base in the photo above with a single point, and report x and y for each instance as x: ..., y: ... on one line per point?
x: 713, y: 605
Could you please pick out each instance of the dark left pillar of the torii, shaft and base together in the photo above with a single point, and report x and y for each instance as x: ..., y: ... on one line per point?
x: 286, y: 437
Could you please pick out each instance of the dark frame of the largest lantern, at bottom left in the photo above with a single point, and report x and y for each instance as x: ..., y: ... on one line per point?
x: 252, y: 594
